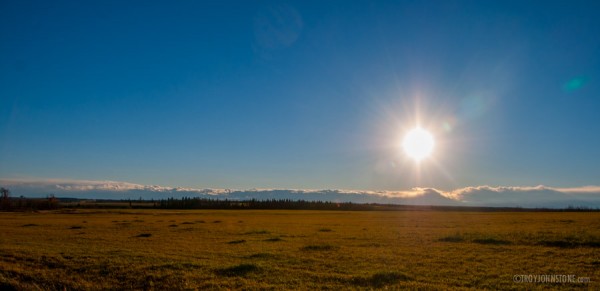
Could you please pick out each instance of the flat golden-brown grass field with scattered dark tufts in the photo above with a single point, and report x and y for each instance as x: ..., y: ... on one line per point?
x: 216, y: 249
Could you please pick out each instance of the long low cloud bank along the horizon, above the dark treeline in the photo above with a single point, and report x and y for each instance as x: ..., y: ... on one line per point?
x: 533, y: 197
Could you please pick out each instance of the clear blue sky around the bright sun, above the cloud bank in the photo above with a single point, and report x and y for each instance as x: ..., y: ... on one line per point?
x: 306, y: 94
